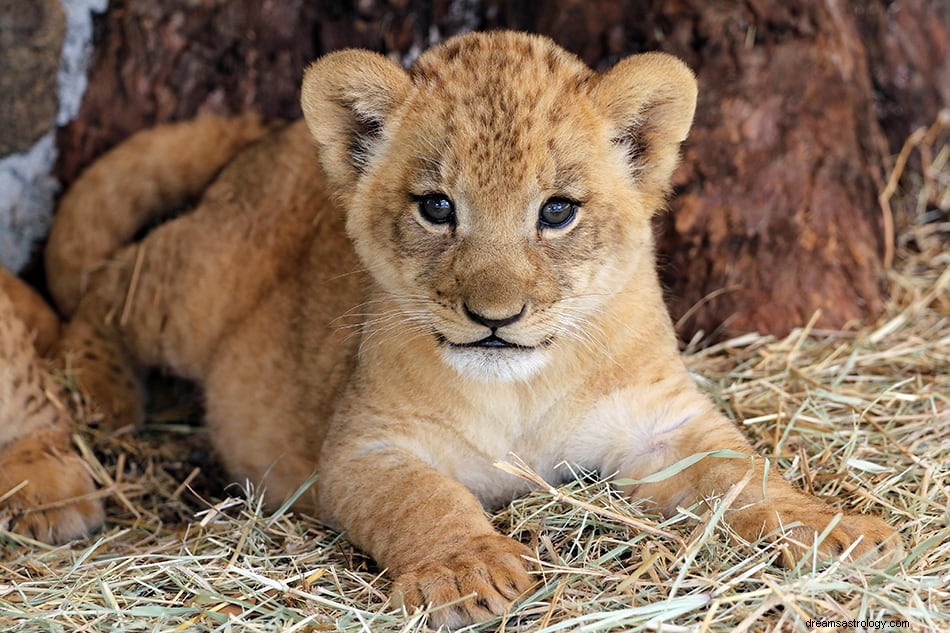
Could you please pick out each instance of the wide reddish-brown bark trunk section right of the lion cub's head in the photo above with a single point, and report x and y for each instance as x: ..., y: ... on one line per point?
x: 777, y: 202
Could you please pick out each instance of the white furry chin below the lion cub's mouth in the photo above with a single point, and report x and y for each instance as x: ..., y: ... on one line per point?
x: 495, y: 365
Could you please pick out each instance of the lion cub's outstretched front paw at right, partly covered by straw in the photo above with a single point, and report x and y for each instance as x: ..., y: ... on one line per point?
x: 803, y: 519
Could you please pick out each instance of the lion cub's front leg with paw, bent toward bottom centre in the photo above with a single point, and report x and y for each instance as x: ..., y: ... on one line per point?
x: 424, y: 527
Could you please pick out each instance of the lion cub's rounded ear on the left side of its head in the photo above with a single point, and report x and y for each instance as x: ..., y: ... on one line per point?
x: 346, y: 98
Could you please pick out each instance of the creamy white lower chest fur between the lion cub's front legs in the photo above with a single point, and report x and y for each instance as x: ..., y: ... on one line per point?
x: 623, y: 429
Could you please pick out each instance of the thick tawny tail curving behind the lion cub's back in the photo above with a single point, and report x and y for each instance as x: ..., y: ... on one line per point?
x: 151, y: 175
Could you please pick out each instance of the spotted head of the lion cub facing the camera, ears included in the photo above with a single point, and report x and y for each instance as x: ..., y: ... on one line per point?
x: 499, y: 191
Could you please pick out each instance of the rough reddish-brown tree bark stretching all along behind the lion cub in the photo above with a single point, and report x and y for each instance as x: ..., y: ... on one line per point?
x: 800, y: 102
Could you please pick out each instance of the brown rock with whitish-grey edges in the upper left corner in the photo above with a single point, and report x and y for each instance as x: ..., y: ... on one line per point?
x: 44, y: 52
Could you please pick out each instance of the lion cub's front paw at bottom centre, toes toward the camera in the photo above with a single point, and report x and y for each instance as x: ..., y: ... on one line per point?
x: 482, y: 578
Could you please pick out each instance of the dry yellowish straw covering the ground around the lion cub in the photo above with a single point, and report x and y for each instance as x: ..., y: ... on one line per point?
x: 861, y: 417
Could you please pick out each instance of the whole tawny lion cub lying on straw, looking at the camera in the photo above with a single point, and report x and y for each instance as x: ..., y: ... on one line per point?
x: 470, y: 274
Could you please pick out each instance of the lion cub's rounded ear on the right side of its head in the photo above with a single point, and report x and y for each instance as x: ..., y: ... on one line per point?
x: 649, y: 99
